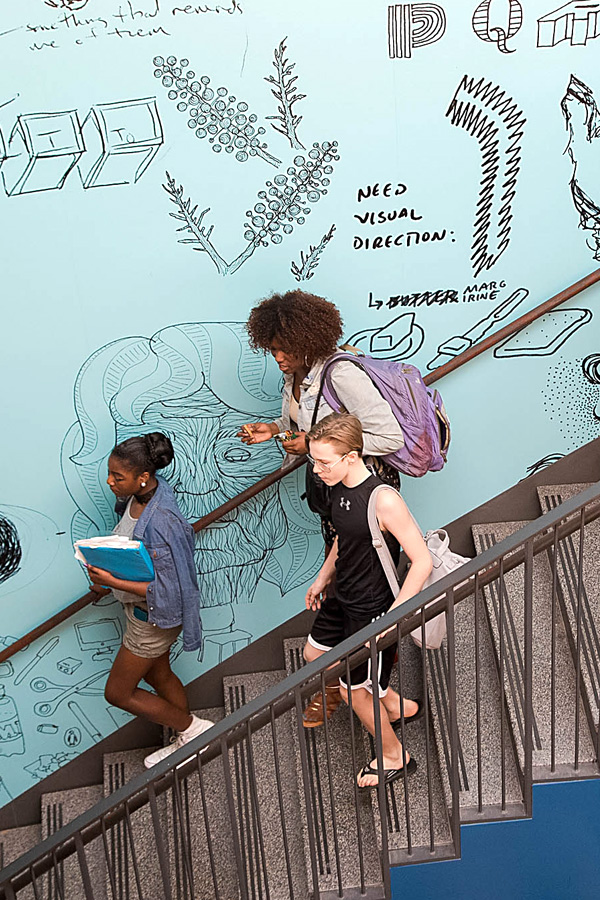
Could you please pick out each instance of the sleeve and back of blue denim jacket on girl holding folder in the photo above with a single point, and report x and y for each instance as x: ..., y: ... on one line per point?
x: 175, y: 576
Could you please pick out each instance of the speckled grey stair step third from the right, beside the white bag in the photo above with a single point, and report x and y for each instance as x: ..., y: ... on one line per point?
x: 484, y: 781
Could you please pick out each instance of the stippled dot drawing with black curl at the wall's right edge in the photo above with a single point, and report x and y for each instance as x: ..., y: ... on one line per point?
x: 572, y: 399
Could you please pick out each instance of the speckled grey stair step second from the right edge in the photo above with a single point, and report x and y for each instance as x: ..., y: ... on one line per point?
x: 512, y: 602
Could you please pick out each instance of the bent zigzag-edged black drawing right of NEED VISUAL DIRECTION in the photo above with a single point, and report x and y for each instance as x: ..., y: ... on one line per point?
x: 495, y: 121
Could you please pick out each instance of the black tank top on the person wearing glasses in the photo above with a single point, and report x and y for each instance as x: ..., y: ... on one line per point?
x: 361, y: 584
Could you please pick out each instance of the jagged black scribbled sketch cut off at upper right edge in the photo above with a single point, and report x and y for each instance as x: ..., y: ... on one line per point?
x: 582, y: 119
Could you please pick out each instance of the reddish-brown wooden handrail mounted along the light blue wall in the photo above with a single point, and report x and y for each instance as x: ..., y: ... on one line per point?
x: 218, y: 513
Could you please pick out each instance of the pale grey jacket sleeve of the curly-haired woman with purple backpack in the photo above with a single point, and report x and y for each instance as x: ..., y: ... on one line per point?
x: 381, y: 432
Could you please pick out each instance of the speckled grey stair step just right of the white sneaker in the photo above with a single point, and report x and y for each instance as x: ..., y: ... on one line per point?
x: 261, y: 835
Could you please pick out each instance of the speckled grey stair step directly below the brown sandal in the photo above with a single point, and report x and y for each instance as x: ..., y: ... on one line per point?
x: 342, y: 775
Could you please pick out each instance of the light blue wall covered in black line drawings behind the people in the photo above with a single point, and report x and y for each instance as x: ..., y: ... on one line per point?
x: 111, y: 327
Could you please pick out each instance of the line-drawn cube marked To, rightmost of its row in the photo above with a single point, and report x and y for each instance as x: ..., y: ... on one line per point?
x: 121, y: 139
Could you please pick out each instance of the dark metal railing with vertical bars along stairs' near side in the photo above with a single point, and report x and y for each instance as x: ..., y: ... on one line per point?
x: 515, y: 553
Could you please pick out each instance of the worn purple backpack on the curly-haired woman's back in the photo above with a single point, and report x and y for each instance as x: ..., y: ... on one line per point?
x: 419, y: 411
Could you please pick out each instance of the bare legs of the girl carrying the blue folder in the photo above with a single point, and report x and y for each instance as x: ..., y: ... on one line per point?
x: 122, y: 690
